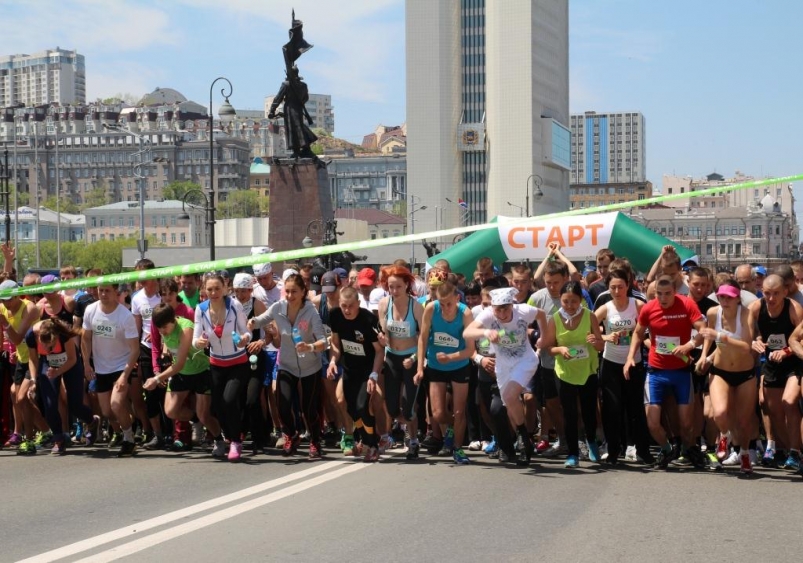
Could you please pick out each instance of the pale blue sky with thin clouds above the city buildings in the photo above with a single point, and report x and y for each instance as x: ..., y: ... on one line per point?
x: 717, y: 81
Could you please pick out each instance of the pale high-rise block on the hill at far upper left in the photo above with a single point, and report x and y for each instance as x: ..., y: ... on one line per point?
x: 52, y: 76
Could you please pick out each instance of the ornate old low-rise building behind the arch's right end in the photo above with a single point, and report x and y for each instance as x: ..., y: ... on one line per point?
x: 724, y: 238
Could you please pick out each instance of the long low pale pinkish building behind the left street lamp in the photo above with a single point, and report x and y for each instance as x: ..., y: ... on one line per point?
x: 165, y: 221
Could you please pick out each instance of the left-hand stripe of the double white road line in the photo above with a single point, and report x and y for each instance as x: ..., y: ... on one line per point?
x: 137, y: 527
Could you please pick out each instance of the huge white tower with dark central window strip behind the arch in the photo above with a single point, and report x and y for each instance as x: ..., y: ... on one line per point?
x: 487, y: 108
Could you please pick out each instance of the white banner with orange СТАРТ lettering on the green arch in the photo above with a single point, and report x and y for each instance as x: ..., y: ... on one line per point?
x: 579, y: 237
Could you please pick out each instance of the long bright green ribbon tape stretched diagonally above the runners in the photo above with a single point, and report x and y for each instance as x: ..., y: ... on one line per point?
x: 202, y: 267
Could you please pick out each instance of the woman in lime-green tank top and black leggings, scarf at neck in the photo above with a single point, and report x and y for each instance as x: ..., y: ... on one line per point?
x: 575, y: 341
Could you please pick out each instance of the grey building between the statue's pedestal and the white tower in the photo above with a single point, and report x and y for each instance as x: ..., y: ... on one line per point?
x: 375, y: 182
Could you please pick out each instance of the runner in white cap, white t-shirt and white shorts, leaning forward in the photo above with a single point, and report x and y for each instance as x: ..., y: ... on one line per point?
x: 505, y: 326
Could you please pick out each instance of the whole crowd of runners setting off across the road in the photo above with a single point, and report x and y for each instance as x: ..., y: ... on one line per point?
x: 678, y: 367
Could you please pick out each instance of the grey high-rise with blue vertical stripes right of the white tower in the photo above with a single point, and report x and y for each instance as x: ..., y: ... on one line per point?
x: 608, y: 148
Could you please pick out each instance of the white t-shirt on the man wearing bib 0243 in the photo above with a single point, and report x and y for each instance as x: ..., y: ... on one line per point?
x: 110, y: 335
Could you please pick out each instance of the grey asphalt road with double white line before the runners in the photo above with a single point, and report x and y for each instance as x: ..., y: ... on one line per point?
x: 160, y: 506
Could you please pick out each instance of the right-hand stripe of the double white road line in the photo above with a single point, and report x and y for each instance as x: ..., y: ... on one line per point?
x: 135, y: 546
